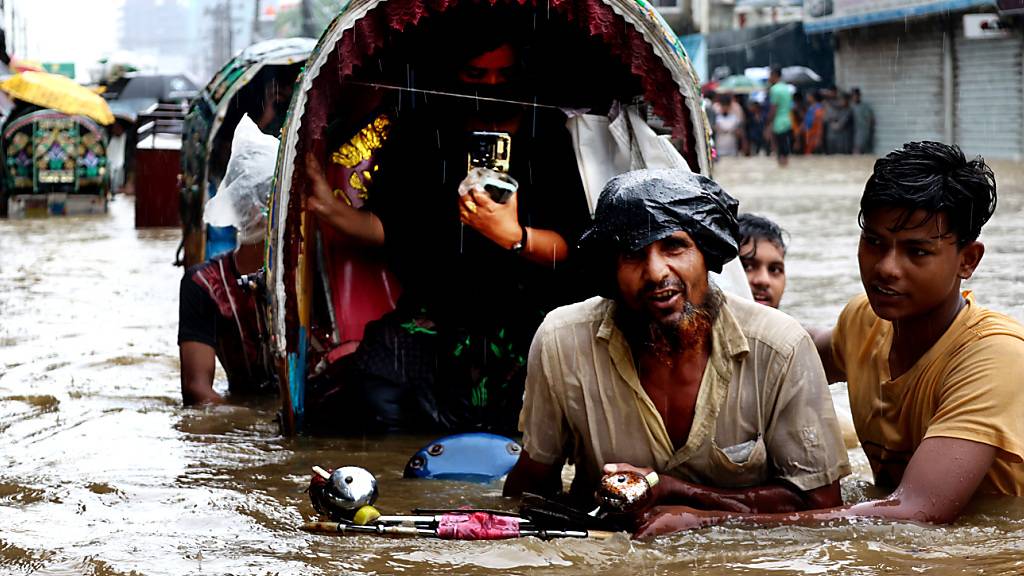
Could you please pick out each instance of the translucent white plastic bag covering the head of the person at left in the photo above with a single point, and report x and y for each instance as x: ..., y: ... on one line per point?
x: 243, y: 196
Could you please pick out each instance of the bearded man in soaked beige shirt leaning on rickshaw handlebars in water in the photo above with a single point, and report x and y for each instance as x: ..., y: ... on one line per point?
x: 726, y: 397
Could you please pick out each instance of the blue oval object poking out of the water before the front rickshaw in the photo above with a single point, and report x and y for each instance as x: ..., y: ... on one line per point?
x: 480, y: 458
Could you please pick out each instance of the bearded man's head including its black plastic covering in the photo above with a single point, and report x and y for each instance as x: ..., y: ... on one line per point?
x: 655, y: 237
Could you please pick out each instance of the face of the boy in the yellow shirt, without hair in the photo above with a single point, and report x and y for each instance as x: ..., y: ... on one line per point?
x: 911, y: 273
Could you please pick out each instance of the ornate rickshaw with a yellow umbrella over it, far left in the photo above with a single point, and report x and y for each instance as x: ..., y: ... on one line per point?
x: 54, y: 147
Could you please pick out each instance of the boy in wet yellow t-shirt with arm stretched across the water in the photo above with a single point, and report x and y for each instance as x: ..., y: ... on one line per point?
x: 934, y: 379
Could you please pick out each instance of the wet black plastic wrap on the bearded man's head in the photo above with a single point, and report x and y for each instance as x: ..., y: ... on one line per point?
x: 642, y: 208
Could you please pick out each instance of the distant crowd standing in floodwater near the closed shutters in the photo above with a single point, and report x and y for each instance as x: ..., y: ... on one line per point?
x: 785, y: 120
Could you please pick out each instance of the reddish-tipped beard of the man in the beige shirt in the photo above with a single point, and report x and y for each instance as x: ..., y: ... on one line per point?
x: 667, y: 339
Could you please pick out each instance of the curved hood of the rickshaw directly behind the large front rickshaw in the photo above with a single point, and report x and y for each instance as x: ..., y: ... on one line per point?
x: 209, y: 126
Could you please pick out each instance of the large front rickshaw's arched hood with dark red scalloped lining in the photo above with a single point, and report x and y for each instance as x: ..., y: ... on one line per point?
x: 588, y: 53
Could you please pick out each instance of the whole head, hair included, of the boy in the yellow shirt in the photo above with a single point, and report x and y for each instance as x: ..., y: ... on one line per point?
x: 921, y: 215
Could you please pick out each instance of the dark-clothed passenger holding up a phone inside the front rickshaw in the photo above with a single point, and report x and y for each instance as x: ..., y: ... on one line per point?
x: 478, y: 276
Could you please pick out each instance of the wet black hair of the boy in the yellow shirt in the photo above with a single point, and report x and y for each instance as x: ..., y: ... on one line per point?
x: 937, y: 179
